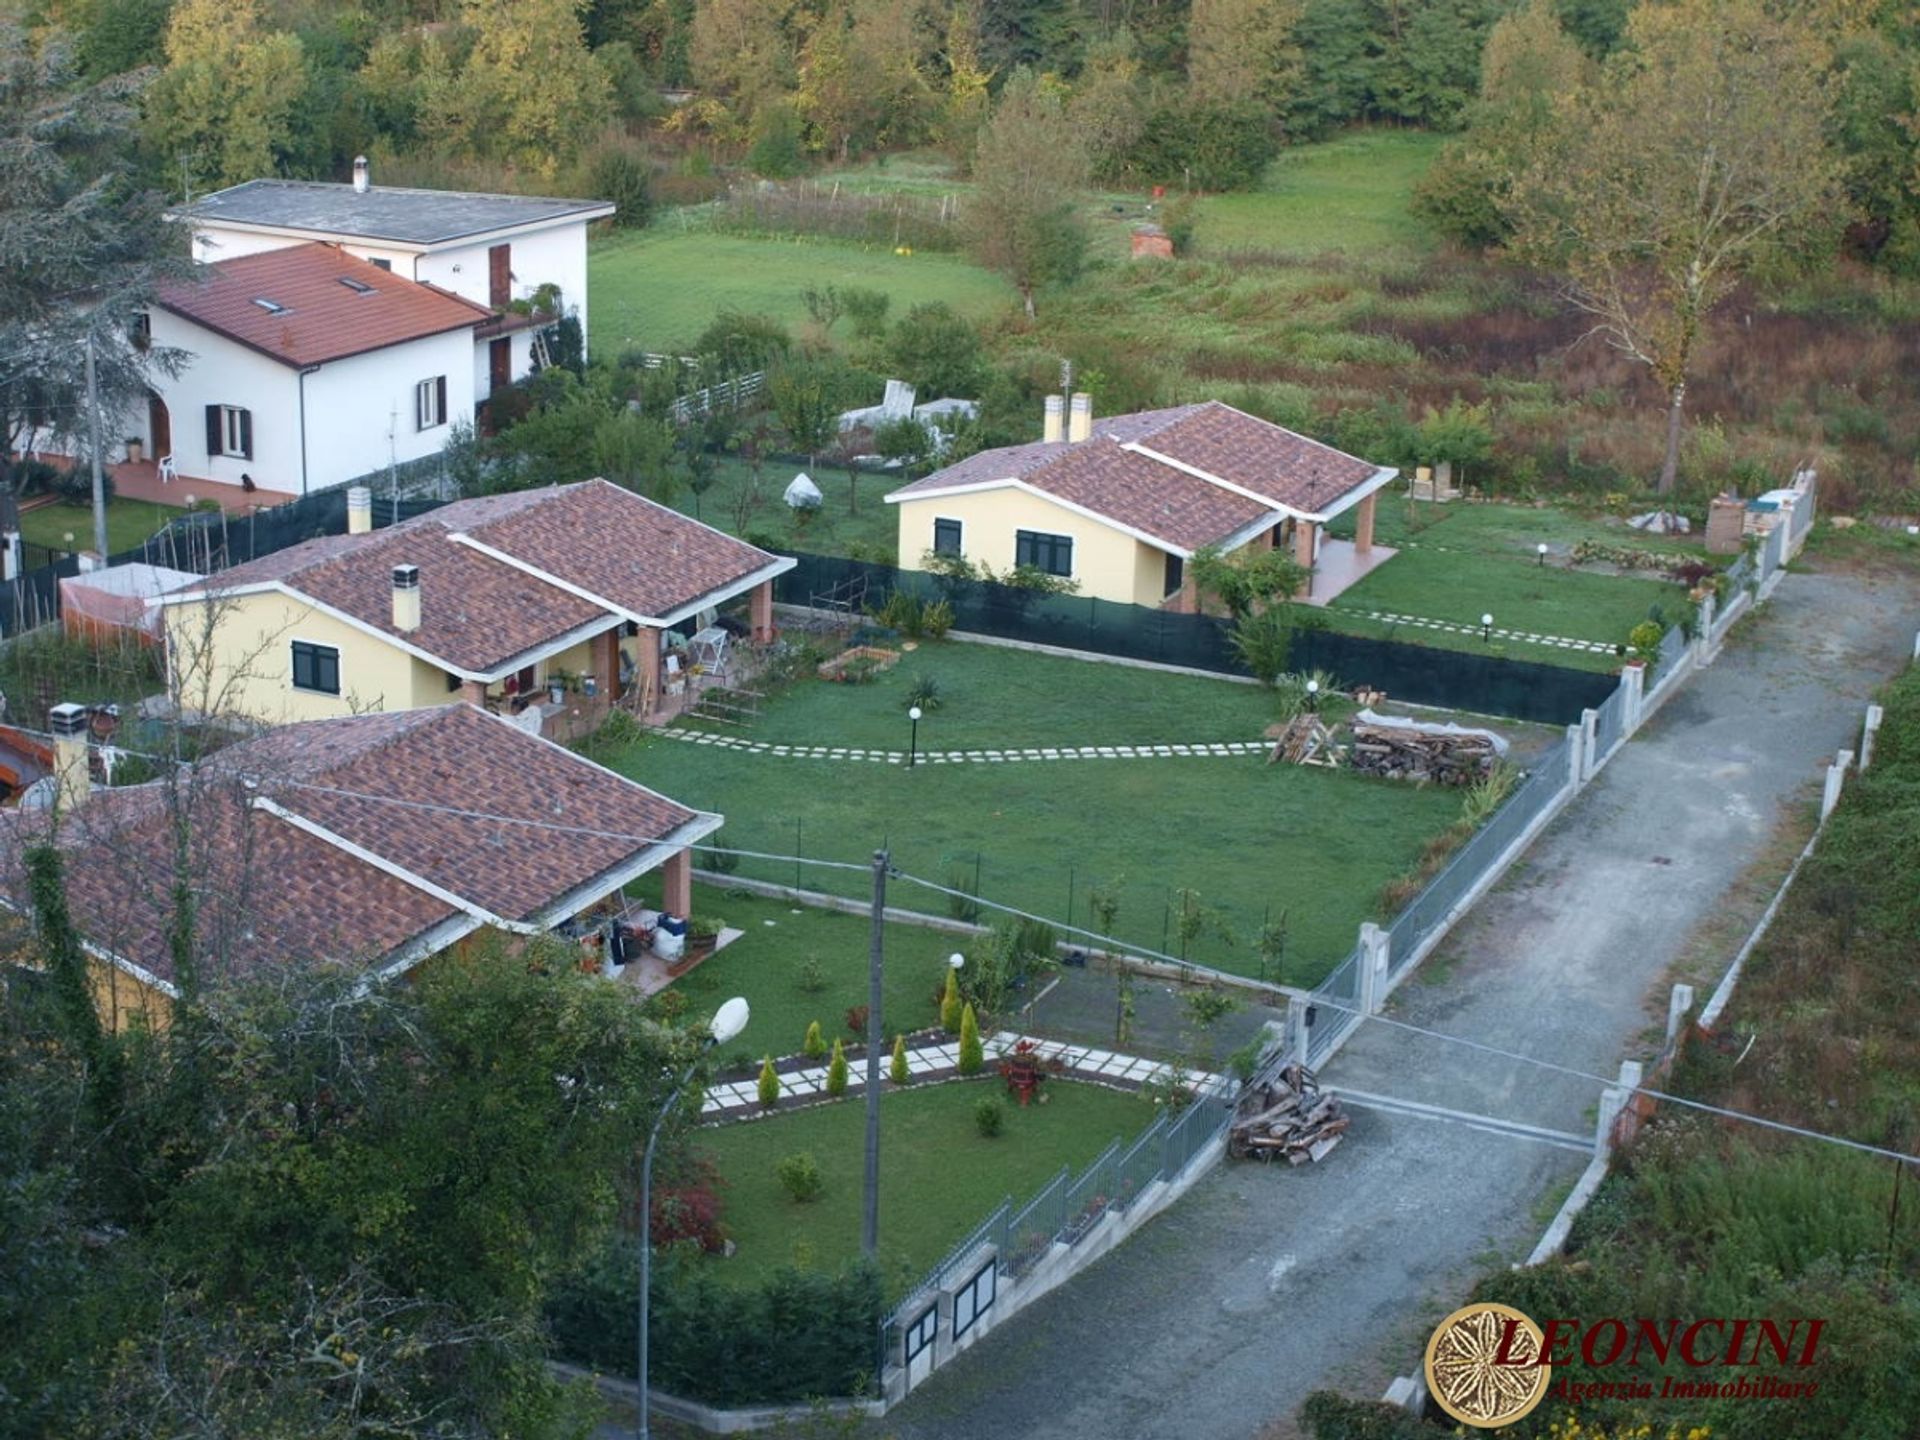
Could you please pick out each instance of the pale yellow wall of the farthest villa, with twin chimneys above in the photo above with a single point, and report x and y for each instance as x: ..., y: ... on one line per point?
x: 1107, y: 564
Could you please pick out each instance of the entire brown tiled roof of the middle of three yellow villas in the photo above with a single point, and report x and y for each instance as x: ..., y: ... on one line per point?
x: 481, y: 613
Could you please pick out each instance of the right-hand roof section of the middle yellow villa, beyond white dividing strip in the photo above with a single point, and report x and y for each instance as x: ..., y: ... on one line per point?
x: 648, y: 560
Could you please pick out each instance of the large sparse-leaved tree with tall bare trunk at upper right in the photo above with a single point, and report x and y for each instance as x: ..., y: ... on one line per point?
x: 1698, y: 158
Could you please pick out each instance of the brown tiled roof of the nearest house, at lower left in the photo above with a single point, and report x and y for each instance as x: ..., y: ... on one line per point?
x: 274, y: 892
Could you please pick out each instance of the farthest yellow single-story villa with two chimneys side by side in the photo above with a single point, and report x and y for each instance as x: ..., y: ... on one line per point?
x: 1122, y: 506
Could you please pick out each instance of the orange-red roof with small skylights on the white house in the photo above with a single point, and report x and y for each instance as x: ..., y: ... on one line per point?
x: 318, y: 318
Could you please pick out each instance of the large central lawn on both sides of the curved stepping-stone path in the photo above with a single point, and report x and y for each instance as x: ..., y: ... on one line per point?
x: 1253, y: 840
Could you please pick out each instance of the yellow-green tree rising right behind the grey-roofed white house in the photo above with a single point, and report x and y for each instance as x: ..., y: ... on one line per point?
x: 531, y: 91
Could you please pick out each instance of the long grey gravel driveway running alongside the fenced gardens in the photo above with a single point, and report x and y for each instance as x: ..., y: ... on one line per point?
x: 1268, y: 1284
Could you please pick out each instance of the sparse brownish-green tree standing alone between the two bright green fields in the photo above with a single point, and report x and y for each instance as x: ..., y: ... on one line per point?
x: 1030, y: 178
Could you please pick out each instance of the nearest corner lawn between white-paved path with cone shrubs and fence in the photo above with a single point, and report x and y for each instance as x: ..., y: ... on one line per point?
x: 940, y: 1178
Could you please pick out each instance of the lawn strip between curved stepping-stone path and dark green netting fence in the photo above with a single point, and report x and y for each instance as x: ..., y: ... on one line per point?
x: 999, y: 698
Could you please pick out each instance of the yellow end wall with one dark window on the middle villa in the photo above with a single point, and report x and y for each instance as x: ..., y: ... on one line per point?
x: 252, y: 663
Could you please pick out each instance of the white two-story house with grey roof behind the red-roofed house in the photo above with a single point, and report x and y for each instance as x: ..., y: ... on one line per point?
x: 492, y: 251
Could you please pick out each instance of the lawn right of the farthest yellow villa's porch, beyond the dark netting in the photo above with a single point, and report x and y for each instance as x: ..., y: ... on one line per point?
x: 1527, y: 598
